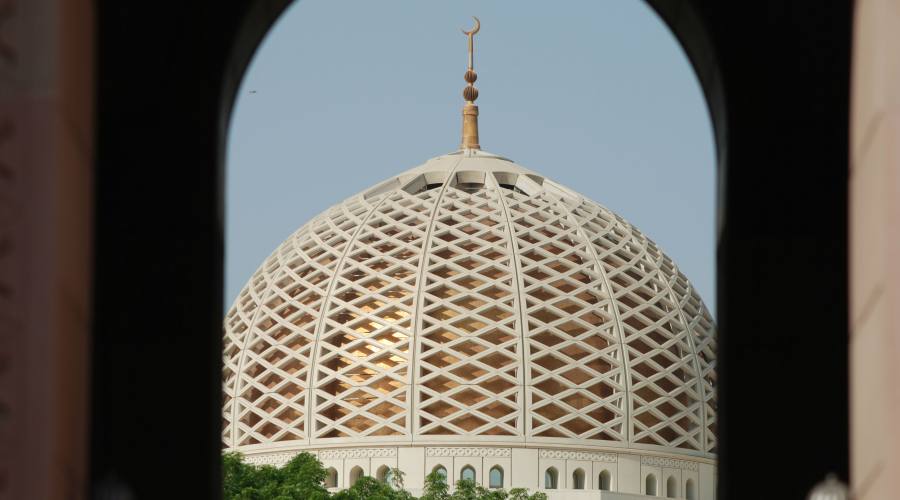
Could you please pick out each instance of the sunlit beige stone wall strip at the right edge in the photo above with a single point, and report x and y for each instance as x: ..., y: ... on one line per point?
x: 875, y: 251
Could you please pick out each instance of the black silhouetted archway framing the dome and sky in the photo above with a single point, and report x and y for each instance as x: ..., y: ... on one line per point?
x: 776, y: 82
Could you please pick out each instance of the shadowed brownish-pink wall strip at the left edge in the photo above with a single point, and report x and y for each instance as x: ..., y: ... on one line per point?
x: 46, y: 141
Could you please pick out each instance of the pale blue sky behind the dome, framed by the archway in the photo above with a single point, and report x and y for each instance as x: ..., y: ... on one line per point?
x: 594, y: 94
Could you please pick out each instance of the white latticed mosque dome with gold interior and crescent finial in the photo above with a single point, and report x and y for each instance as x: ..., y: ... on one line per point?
x: 473, y: 317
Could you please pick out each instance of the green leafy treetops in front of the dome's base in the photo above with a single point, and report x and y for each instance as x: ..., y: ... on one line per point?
x: 303, y: 478
